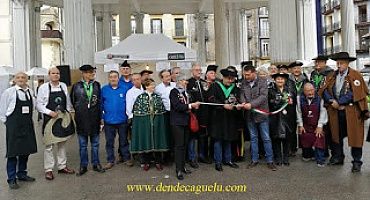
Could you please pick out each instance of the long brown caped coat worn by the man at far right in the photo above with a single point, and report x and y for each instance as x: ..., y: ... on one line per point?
x: 354, y: 111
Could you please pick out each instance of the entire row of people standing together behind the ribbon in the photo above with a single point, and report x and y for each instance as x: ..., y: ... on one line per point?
x: 190, y: 119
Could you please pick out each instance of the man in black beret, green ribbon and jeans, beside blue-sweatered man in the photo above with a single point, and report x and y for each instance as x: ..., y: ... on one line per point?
x: 86, y: 100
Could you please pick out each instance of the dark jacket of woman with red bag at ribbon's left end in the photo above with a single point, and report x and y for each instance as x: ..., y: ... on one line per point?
x: 179, y: 114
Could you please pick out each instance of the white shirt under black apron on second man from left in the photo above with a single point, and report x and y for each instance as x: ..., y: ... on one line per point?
x: 43, y: 97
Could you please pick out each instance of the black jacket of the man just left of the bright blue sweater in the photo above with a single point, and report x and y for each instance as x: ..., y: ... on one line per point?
x: 87, y: 116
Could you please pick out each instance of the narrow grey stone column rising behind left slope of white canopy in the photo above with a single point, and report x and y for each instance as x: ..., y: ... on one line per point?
x: 124, y: 19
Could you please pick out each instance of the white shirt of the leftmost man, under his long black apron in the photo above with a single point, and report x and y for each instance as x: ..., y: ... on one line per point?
x: 9, y: 98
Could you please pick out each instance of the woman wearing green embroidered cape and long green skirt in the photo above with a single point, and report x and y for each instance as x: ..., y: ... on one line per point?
x: 149, y: 134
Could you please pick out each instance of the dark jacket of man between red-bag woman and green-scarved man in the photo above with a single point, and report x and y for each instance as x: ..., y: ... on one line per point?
x: 199, y: 92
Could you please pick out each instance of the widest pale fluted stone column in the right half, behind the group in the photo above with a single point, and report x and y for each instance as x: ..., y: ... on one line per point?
x: 283, y: 31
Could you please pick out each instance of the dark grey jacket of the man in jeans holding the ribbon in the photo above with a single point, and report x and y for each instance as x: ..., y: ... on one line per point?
x: 257, y: 96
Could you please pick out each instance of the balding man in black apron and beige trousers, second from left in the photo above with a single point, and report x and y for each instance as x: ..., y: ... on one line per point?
x: 53, y: 97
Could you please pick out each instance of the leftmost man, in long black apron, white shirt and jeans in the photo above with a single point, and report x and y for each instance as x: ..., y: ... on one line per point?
x: 16, y: 108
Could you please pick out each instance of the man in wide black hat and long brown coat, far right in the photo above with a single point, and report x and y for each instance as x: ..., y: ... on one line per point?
x: 344, y: 92
